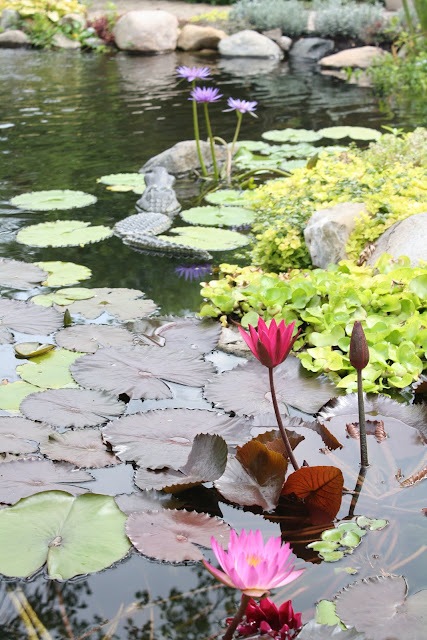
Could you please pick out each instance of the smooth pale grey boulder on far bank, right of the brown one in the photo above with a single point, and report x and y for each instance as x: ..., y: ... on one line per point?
x: 249, y: 44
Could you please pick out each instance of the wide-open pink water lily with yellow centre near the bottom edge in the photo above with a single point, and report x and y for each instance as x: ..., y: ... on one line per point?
x: 251, y: 566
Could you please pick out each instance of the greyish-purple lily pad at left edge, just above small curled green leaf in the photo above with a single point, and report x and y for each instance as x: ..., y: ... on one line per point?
x: 28, y: 318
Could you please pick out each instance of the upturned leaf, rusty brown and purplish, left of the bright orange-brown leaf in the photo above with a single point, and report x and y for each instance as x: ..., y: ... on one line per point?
x: 254, y: 477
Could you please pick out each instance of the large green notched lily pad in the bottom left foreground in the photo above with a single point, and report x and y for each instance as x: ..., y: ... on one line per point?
x: 74, y: 535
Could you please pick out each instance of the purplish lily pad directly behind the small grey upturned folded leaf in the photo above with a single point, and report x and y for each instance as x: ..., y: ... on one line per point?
x: 164, y: 437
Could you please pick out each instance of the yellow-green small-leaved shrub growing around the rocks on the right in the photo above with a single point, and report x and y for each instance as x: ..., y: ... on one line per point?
x: 390, y: 191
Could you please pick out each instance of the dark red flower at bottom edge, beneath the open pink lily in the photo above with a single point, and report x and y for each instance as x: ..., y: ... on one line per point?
x: 279, y: 623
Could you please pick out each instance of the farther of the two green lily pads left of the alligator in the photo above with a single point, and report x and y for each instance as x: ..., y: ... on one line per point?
x: 51, y: 200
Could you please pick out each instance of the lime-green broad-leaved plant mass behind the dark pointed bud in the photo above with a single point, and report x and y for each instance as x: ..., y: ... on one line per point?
x: 391, y: 305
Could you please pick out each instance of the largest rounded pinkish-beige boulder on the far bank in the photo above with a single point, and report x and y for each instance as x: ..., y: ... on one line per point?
x: 146, y: 31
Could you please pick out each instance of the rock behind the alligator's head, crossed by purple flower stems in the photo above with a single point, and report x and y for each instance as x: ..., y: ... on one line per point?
x: 182, y: 158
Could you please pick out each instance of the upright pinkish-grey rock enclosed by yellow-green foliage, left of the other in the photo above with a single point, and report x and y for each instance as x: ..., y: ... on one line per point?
x: 328, y: 230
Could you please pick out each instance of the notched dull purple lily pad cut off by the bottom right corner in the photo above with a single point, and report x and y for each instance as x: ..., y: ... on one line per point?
x: 378, y: 606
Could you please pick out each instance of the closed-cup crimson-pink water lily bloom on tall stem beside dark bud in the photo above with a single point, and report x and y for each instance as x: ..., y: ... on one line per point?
x: 271, y: 345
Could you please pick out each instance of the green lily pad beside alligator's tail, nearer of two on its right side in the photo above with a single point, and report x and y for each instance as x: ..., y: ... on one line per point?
x: 206, y: 238
